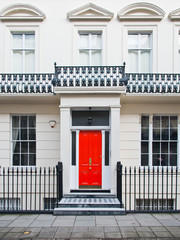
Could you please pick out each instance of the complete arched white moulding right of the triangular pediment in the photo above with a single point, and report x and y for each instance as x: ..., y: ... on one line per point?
x: 141, y: 11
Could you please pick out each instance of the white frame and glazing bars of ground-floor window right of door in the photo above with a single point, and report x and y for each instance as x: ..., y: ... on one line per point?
x: 151, y: 140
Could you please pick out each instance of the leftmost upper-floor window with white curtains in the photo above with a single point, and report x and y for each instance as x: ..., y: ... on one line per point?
x: 23, y: 51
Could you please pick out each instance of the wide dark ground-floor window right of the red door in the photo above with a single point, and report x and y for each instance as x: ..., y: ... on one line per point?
x: 164, y: 141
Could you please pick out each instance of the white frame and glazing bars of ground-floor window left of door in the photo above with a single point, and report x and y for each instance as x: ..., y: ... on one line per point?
x: 20, y: 152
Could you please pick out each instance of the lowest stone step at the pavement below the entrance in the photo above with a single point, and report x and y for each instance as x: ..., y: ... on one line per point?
x: 89, y: 211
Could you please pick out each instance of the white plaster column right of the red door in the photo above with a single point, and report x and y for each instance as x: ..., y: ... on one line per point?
x: 115, y: 143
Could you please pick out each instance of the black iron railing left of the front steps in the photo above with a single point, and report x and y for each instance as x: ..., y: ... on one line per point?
x: 30, y: 189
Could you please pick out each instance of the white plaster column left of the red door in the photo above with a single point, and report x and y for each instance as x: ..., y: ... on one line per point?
x: 65, y: 122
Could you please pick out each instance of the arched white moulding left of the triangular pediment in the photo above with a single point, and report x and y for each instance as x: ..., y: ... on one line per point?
x: 21, y: 12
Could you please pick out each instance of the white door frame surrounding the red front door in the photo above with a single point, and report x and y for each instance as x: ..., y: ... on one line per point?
x: 106, y: 170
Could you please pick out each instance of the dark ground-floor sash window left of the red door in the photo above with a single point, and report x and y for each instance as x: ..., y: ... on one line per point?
x: 23, y: 140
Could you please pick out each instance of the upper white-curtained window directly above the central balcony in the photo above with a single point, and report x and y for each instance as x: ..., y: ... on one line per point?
x: 90, y: 49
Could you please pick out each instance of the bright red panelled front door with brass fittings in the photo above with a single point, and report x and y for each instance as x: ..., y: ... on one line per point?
x: 90, y: 159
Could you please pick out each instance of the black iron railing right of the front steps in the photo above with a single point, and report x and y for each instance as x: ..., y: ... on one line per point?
x: 148, y: 189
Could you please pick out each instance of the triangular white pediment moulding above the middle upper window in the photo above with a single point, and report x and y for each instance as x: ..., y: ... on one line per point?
x: 90, y: 12
